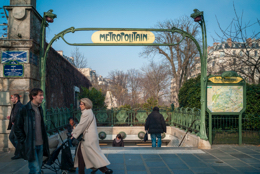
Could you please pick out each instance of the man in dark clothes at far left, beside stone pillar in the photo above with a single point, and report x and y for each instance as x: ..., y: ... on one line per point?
x: 15, y: 99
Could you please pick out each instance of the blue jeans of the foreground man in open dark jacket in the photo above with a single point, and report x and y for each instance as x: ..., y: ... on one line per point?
x: 36, y: 165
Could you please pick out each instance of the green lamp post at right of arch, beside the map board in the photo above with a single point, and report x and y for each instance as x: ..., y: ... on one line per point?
x: 198, y: 17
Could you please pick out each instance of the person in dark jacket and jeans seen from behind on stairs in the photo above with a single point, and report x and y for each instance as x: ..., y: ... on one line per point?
x: 155, y: 125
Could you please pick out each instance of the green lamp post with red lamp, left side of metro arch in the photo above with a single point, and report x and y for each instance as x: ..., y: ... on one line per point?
x: 47, y: 17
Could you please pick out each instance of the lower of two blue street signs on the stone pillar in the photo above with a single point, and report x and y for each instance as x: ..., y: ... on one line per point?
x: 13, y: 69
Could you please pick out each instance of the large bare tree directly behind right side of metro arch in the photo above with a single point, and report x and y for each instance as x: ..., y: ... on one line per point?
x: 179, y: 57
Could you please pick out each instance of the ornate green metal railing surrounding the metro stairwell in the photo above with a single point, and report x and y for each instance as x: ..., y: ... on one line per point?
x: 181, y: 117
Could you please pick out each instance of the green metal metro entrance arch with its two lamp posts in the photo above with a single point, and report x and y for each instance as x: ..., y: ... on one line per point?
x: 197, y: 16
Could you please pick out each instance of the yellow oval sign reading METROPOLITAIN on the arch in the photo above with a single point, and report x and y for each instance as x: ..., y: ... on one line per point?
x: 123, y: 37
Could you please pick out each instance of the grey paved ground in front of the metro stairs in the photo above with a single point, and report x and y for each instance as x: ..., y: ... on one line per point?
x: 129, y: 160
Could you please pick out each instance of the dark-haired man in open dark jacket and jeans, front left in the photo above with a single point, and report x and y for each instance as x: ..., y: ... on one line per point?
x: 31, y: 133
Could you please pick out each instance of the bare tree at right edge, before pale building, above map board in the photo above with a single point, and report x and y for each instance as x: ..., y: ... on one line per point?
x: 241, y: 49
